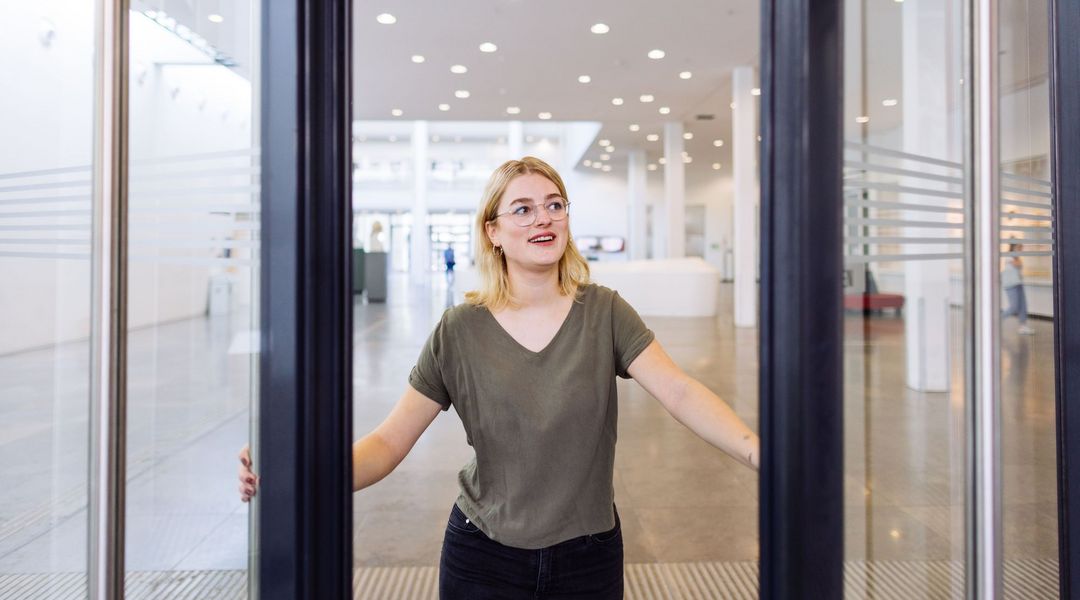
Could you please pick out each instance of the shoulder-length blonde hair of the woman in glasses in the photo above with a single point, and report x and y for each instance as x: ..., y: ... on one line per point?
x: 494, y: 291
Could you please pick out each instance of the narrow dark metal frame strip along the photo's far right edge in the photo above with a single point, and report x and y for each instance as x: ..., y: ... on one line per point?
x: 1065, y: 147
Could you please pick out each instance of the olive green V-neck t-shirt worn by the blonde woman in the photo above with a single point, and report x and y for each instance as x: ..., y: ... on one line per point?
x: 543, y: 424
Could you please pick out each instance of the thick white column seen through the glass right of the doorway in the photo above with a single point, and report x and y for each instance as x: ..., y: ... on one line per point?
x: 926, y: 111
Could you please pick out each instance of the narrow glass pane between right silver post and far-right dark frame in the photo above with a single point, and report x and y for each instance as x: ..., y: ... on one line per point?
x: 1029, y: 452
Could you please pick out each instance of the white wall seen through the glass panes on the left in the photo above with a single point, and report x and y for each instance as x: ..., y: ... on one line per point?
x: 47, y: 122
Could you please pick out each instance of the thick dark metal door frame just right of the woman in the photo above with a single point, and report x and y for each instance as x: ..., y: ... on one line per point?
x: 802, y: 379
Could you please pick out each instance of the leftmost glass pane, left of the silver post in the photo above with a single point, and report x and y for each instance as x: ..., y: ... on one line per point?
x: 47, y: 119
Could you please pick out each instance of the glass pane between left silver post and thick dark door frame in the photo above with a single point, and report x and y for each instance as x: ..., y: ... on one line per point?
x: 193, y: 294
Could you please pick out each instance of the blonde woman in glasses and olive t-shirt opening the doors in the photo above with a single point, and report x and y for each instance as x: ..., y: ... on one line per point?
x: 530, y: 364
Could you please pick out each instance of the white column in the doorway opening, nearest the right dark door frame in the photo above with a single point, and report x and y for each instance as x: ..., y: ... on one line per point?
x: 745, y: 167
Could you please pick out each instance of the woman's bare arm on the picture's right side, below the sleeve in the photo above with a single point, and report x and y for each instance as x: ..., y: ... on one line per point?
x: 695, y: 406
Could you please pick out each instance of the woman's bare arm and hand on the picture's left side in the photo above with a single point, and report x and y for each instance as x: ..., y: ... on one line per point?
x: 376, y: 455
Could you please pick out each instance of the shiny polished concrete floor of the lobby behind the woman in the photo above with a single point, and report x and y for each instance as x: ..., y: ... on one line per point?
x: 681, y: 500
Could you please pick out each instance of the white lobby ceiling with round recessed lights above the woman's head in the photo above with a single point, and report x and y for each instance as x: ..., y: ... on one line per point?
x: 543, y: 49
